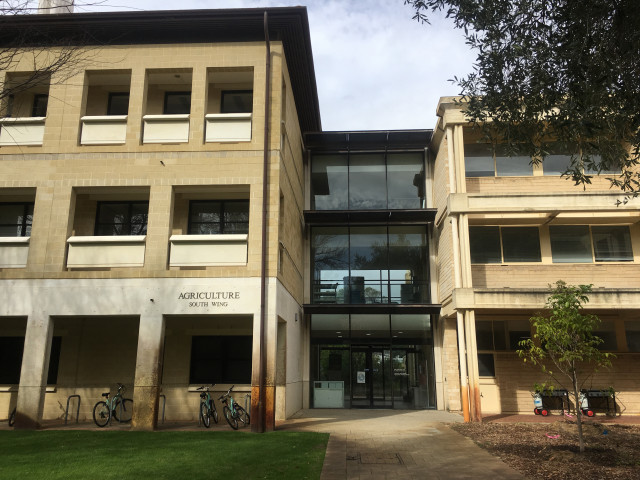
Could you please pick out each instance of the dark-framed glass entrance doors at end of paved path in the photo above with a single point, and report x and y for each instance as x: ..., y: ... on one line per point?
x: 371, y: 382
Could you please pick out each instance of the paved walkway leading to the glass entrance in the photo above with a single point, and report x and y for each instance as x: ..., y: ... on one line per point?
x: 397, y: 444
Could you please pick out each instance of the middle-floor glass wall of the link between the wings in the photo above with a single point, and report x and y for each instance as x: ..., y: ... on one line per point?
x: 375, y: 264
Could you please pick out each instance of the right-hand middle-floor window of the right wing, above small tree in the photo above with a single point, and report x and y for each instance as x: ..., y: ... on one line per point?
x: 573, y: 244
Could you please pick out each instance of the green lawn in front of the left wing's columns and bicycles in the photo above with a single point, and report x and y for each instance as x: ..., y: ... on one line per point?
x: 160, y: 455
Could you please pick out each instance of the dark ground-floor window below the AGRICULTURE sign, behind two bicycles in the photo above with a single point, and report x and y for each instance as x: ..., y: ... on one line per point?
x: 221, y: 359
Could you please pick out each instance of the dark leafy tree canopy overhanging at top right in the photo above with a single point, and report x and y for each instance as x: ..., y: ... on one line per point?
x: 555, y: 74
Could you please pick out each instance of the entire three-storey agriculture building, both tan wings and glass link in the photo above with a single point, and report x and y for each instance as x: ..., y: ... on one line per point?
x: 173, y: 215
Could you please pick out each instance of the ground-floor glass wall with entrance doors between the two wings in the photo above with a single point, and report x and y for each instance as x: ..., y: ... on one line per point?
x: 372, y: 361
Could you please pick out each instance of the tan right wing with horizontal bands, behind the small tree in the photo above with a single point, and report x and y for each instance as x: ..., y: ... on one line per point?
x: 505, y: 231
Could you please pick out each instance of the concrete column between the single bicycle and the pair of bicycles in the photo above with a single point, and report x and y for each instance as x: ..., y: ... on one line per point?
x: 146, y: 389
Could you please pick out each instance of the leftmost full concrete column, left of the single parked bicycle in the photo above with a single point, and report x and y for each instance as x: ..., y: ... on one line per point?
x: 33, y: 374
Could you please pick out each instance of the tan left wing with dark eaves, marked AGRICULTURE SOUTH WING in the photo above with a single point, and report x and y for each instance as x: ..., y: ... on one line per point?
x: 132, y: 197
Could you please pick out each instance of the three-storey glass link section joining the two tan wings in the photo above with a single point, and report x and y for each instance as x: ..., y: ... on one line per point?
x: 370, y: 302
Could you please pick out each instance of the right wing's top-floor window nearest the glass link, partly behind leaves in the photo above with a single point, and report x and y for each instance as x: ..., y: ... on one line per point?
x: 482, y: 160
